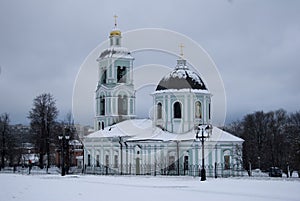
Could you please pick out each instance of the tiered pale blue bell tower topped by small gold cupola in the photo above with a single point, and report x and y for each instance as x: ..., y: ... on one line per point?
x: 115, y: 95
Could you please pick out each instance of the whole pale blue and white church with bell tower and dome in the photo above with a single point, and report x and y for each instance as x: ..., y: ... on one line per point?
x: 166, y: 144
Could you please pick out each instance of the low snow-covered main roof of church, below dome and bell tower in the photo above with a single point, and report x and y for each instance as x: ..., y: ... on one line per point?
x: 142, y: 130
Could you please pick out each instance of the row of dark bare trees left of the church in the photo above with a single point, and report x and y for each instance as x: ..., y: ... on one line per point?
x: 43, y: 133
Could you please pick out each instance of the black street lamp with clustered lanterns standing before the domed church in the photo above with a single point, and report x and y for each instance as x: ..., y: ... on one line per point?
x: 205, y: 129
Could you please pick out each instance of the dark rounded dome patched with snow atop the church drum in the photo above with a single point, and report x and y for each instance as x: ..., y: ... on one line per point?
x: 181, y: 79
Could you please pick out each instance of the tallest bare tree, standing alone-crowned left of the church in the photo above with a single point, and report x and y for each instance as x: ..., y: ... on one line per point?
x: 42, y: 120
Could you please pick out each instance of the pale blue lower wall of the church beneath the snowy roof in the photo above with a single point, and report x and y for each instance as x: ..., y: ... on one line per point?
x: 160, y: 153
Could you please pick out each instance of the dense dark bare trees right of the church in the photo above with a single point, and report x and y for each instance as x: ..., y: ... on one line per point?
x: 272, y: 139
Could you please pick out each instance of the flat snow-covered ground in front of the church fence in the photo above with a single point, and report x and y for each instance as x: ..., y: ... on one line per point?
x: 53, y: 187
